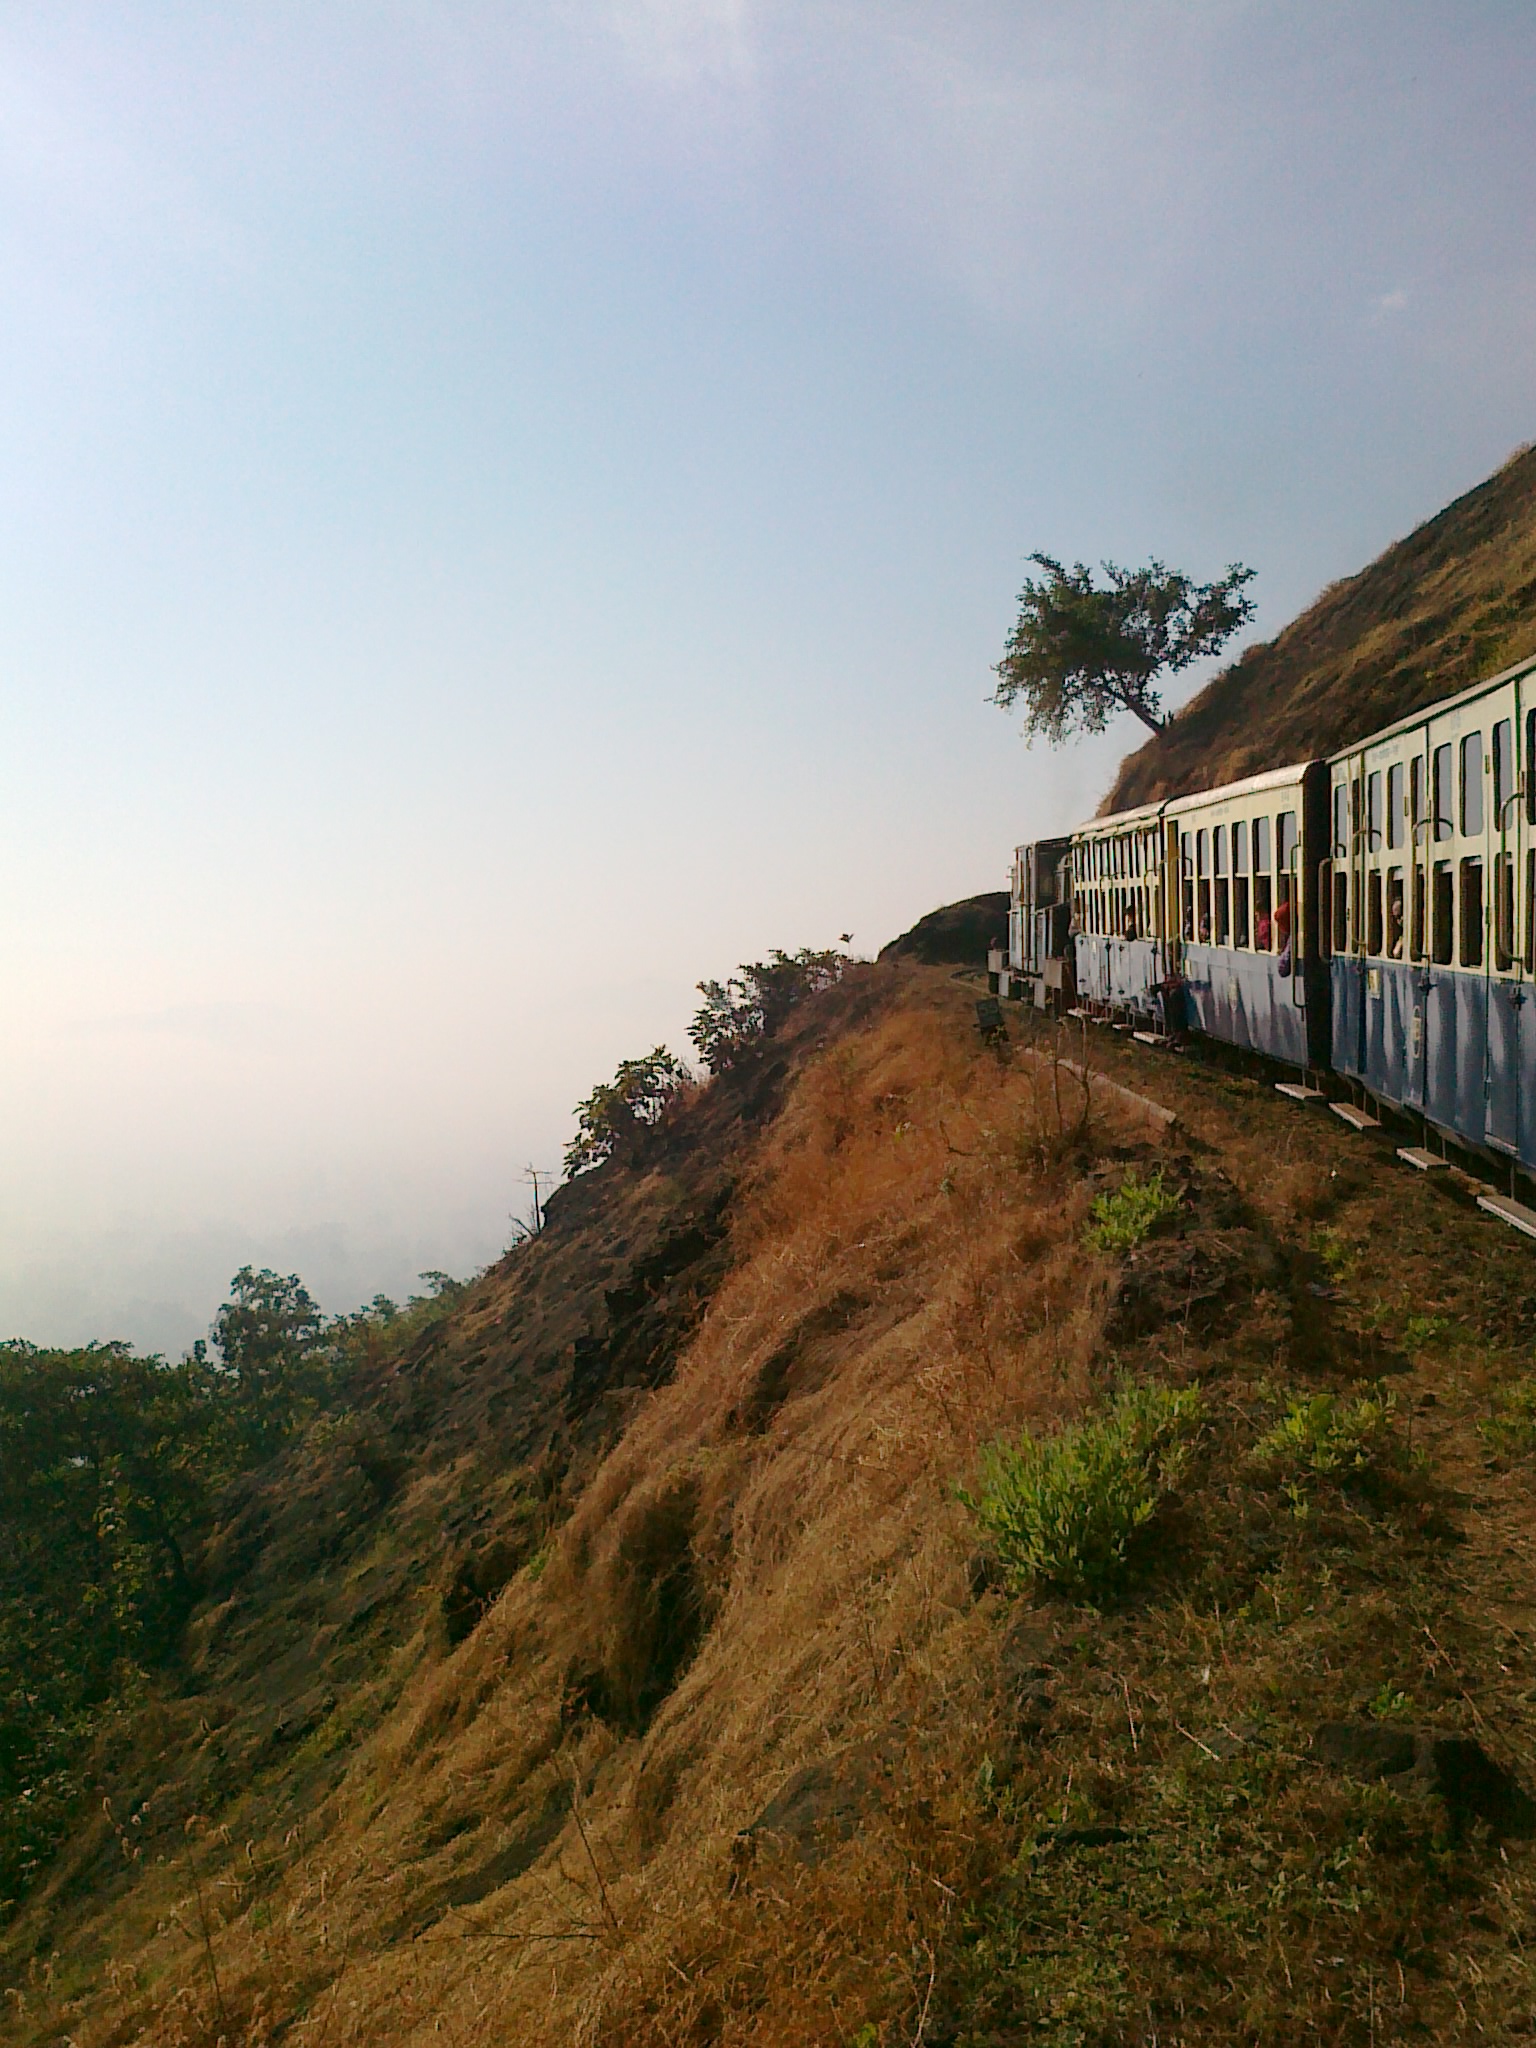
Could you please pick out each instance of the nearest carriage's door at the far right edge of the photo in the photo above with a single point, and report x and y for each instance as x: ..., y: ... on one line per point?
x: 1508, y: 990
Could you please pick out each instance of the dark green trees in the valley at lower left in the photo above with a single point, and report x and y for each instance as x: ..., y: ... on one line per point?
x: 112, y: 1474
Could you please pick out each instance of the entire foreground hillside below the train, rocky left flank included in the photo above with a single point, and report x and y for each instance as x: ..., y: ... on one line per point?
x: 626, y: 1670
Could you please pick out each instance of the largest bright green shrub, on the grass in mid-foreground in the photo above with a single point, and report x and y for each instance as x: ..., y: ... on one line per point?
x: 1064, y: 1510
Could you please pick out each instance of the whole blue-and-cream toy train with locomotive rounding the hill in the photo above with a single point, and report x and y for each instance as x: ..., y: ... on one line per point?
x: 1369, y: 916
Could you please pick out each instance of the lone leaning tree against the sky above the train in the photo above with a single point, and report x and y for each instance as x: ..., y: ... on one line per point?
x: 1080, y: 654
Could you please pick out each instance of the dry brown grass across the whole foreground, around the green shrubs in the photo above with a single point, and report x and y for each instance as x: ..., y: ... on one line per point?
x: 548, y: 1840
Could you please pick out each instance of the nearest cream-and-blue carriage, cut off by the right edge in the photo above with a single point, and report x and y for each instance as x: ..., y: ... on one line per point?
x: 1431, y: 914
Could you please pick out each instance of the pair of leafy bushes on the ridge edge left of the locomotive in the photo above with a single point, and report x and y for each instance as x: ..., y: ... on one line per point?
x: 732, y: 1023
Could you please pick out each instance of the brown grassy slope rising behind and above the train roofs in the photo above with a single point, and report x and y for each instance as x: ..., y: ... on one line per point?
x: 1443, y: 609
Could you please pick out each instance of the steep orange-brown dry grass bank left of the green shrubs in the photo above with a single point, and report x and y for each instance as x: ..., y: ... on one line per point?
x: 767, y: 1572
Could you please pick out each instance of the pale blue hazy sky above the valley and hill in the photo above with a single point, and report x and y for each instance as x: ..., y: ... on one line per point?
x: 511, y: 509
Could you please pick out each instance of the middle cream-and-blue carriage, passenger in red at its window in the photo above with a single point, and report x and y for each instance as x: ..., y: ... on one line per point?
x: 1248, y: 912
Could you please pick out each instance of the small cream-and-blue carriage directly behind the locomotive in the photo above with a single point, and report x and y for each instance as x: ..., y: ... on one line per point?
x: 1123, y: 912
